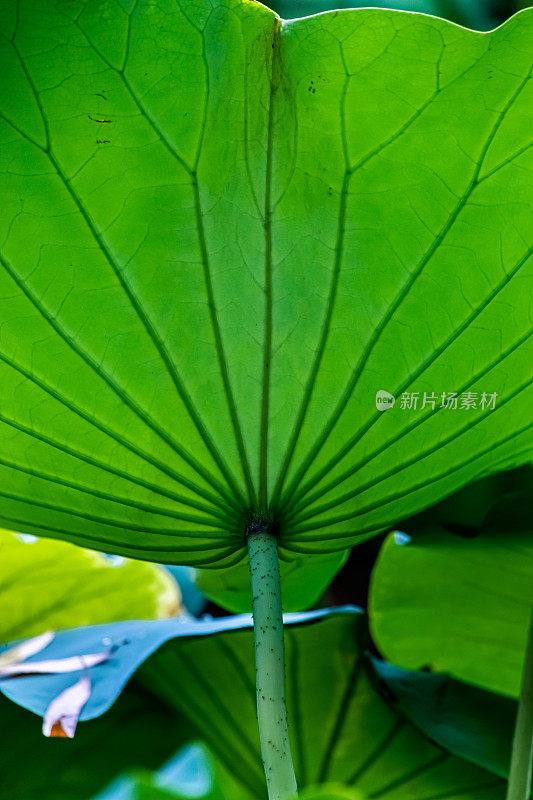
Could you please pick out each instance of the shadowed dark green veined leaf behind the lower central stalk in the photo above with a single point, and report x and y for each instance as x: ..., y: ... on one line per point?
x: 342, y: 728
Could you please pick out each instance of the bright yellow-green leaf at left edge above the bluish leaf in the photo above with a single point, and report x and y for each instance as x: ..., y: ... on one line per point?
x: 46, y: 585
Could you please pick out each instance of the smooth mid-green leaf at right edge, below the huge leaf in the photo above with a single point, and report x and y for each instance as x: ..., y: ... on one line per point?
x: 452, y: 610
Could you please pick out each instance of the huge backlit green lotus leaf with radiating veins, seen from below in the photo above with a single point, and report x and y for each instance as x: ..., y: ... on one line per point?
x: 222, y: 235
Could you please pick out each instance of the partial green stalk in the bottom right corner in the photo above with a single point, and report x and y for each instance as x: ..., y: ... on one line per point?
x: 519, y: 787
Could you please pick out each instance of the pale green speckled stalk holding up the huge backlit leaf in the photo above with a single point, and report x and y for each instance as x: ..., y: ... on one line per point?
x: 270, y: 663
